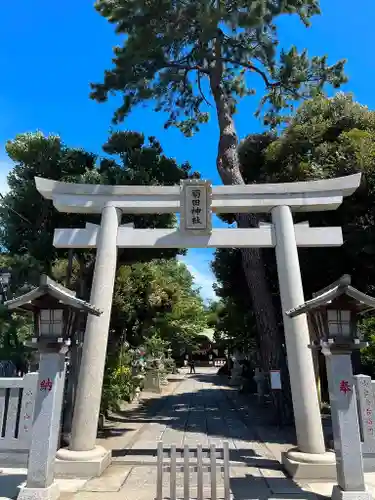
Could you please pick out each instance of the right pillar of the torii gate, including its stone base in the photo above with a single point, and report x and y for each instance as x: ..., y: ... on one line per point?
x: 310, y: 460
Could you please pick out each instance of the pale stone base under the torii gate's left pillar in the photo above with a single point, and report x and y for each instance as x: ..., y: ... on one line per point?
x: 82, y: 464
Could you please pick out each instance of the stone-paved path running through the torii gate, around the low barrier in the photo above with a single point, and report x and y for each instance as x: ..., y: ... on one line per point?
x: 199, y: 411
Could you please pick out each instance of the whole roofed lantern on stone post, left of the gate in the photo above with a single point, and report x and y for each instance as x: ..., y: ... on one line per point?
x: 53, y: 307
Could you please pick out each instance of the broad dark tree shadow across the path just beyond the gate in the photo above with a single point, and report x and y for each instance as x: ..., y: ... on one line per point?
x: 216, y: 411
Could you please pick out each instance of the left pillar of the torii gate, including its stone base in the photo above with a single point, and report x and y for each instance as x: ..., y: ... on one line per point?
x: 83, y: 457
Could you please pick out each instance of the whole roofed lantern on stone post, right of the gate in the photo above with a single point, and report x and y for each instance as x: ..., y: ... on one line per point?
x: 333, y: 314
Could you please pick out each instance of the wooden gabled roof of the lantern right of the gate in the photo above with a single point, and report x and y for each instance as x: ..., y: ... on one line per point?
x: 336, y: 292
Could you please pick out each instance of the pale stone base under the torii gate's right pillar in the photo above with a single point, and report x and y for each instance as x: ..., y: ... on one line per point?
x: 312, y: 466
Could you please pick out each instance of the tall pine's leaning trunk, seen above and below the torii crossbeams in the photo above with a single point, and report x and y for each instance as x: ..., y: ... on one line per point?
x: 228, y: 165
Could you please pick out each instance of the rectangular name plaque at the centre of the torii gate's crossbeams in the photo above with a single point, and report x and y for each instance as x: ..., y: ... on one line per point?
x: 195, y: 206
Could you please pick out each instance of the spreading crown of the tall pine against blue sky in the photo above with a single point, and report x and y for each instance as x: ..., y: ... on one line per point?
x: 174, y: 52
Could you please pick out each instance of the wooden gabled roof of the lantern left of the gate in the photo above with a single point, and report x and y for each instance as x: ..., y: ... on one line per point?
x: 47, y: 290
